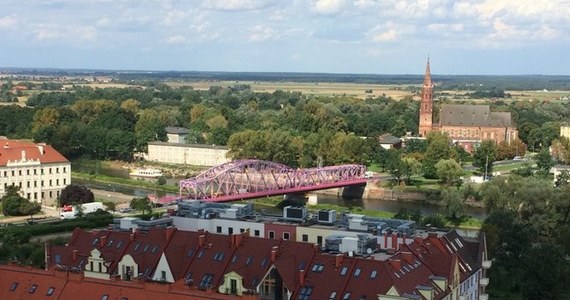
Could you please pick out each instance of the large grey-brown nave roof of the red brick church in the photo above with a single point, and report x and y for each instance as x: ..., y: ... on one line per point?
x: 474, y: 115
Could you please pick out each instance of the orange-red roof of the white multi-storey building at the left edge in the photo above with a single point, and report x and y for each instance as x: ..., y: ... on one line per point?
x: 12, y: 150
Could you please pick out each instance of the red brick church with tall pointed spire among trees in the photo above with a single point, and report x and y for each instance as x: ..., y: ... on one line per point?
x: 467, y: 125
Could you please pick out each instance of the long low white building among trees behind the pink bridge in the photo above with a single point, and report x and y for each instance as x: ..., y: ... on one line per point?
x: 189, y: 154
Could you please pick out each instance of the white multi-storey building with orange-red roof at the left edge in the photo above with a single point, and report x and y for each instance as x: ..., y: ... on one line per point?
x: 38, y: 169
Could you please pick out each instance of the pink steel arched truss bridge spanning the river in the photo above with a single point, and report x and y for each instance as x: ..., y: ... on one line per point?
x: 247, y: 179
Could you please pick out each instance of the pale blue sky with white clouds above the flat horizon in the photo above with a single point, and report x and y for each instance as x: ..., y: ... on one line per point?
x: 472, y: 37
